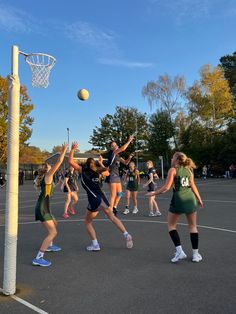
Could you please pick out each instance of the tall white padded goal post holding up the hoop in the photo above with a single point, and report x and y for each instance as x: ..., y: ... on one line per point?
x: 11, y: 215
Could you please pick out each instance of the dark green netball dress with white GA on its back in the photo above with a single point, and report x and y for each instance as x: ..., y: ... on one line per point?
x: 183, y: 200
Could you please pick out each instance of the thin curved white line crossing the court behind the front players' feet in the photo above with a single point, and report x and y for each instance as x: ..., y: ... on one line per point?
x: 132, y: 220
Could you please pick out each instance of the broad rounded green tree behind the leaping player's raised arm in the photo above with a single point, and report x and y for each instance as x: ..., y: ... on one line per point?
x: 119, y: 126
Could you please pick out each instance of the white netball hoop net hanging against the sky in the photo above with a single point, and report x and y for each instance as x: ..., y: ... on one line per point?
x: 41, y: 65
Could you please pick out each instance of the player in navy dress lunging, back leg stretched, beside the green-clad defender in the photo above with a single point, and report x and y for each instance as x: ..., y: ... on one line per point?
x: 97, y: 201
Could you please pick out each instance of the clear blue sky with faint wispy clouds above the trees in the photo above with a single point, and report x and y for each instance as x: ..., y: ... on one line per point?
x: 112, y: 48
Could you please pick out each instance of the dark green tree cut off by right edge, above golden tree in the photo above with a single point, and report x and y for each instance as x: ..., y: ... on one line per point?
x: 228, y: 63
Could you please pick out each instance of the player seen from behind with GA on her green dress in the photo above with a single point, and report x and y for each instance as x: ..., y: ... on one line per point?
x: 184, y: 201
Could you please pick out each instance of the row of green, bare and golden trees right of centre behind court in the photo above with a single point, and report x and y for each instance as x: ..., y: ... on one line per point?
x: 198, y: 120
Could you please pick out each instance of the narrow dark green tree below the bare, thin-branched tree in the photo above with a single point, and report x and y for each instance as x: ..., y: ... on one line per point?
x: 161, y: 131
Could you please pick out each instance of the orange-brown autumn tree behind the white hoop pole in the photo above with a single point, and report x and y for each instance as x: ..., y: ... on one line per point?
x: 25, y: 120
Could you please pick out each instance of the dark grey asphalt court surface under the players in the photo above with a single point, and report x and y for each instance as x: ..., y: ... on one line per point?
x: 117, y: 280
